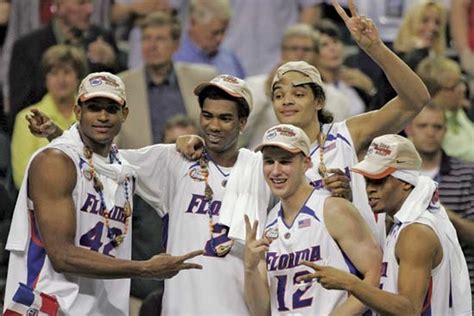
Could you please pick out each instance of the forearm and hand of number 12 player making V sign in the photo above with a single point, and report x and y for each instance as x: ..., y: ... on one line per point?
x: 256, y: 291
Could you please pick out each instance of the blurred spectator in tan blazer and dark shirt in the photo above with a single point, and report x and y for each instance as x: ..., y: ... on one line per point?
x: 161, y: 88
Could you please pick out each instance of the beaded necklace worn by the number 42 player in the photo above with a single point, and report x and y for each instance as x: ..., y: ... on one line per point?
x: 117, y: 239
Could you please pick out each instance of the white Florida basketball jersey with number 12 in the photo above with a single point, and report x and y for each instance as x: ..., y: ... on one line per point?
x: 305, y: 239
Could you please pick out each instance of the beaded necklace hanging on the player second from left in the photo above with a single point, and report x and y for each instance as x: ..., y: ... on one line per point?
x: 223, y: 249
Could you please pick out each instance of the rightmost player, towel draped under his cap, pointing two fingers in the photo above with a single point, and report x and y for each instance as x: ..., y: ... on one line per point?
x: 424, y: 270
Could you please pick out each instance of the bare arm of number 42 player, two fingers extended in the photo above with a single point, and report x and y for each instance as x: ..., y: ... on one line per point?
x: 52, y: 178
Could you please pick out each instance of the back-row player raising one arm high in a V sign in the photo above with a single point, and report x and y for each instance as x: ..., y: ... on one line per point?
x: 298, y: 99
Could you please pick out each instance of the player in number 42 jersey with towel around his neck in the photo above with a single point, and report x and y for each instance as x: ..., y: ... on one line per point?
x: 70, y: 238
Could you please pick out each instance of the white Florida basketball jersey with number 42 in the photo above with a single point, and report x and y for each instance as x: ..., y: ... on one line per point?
x: 79, y: 295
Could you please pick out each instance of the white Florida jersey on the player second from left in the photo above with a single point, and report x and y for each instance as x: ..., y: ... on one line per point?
x: 218, y: 289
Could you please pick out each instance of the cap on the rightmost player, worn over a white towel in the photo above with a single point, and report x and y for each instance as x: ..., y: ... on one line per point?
x: 388, y: 154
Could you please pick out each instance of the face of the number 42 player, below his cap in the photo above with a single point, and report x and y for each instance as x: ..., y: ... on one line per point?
x: 100, y: 120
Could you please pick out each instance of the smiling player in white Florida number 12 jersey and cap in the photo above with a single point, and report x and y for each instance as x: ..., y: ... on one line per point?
x: 306, y: 226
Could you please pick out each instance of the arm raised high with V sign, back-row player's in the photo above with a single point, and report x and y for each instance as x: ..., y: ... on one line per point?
x: 412, y: 94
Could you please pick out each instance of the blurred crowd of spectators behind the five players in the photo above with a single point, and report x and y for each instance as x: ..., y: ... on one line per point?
x: 162, y: 49
